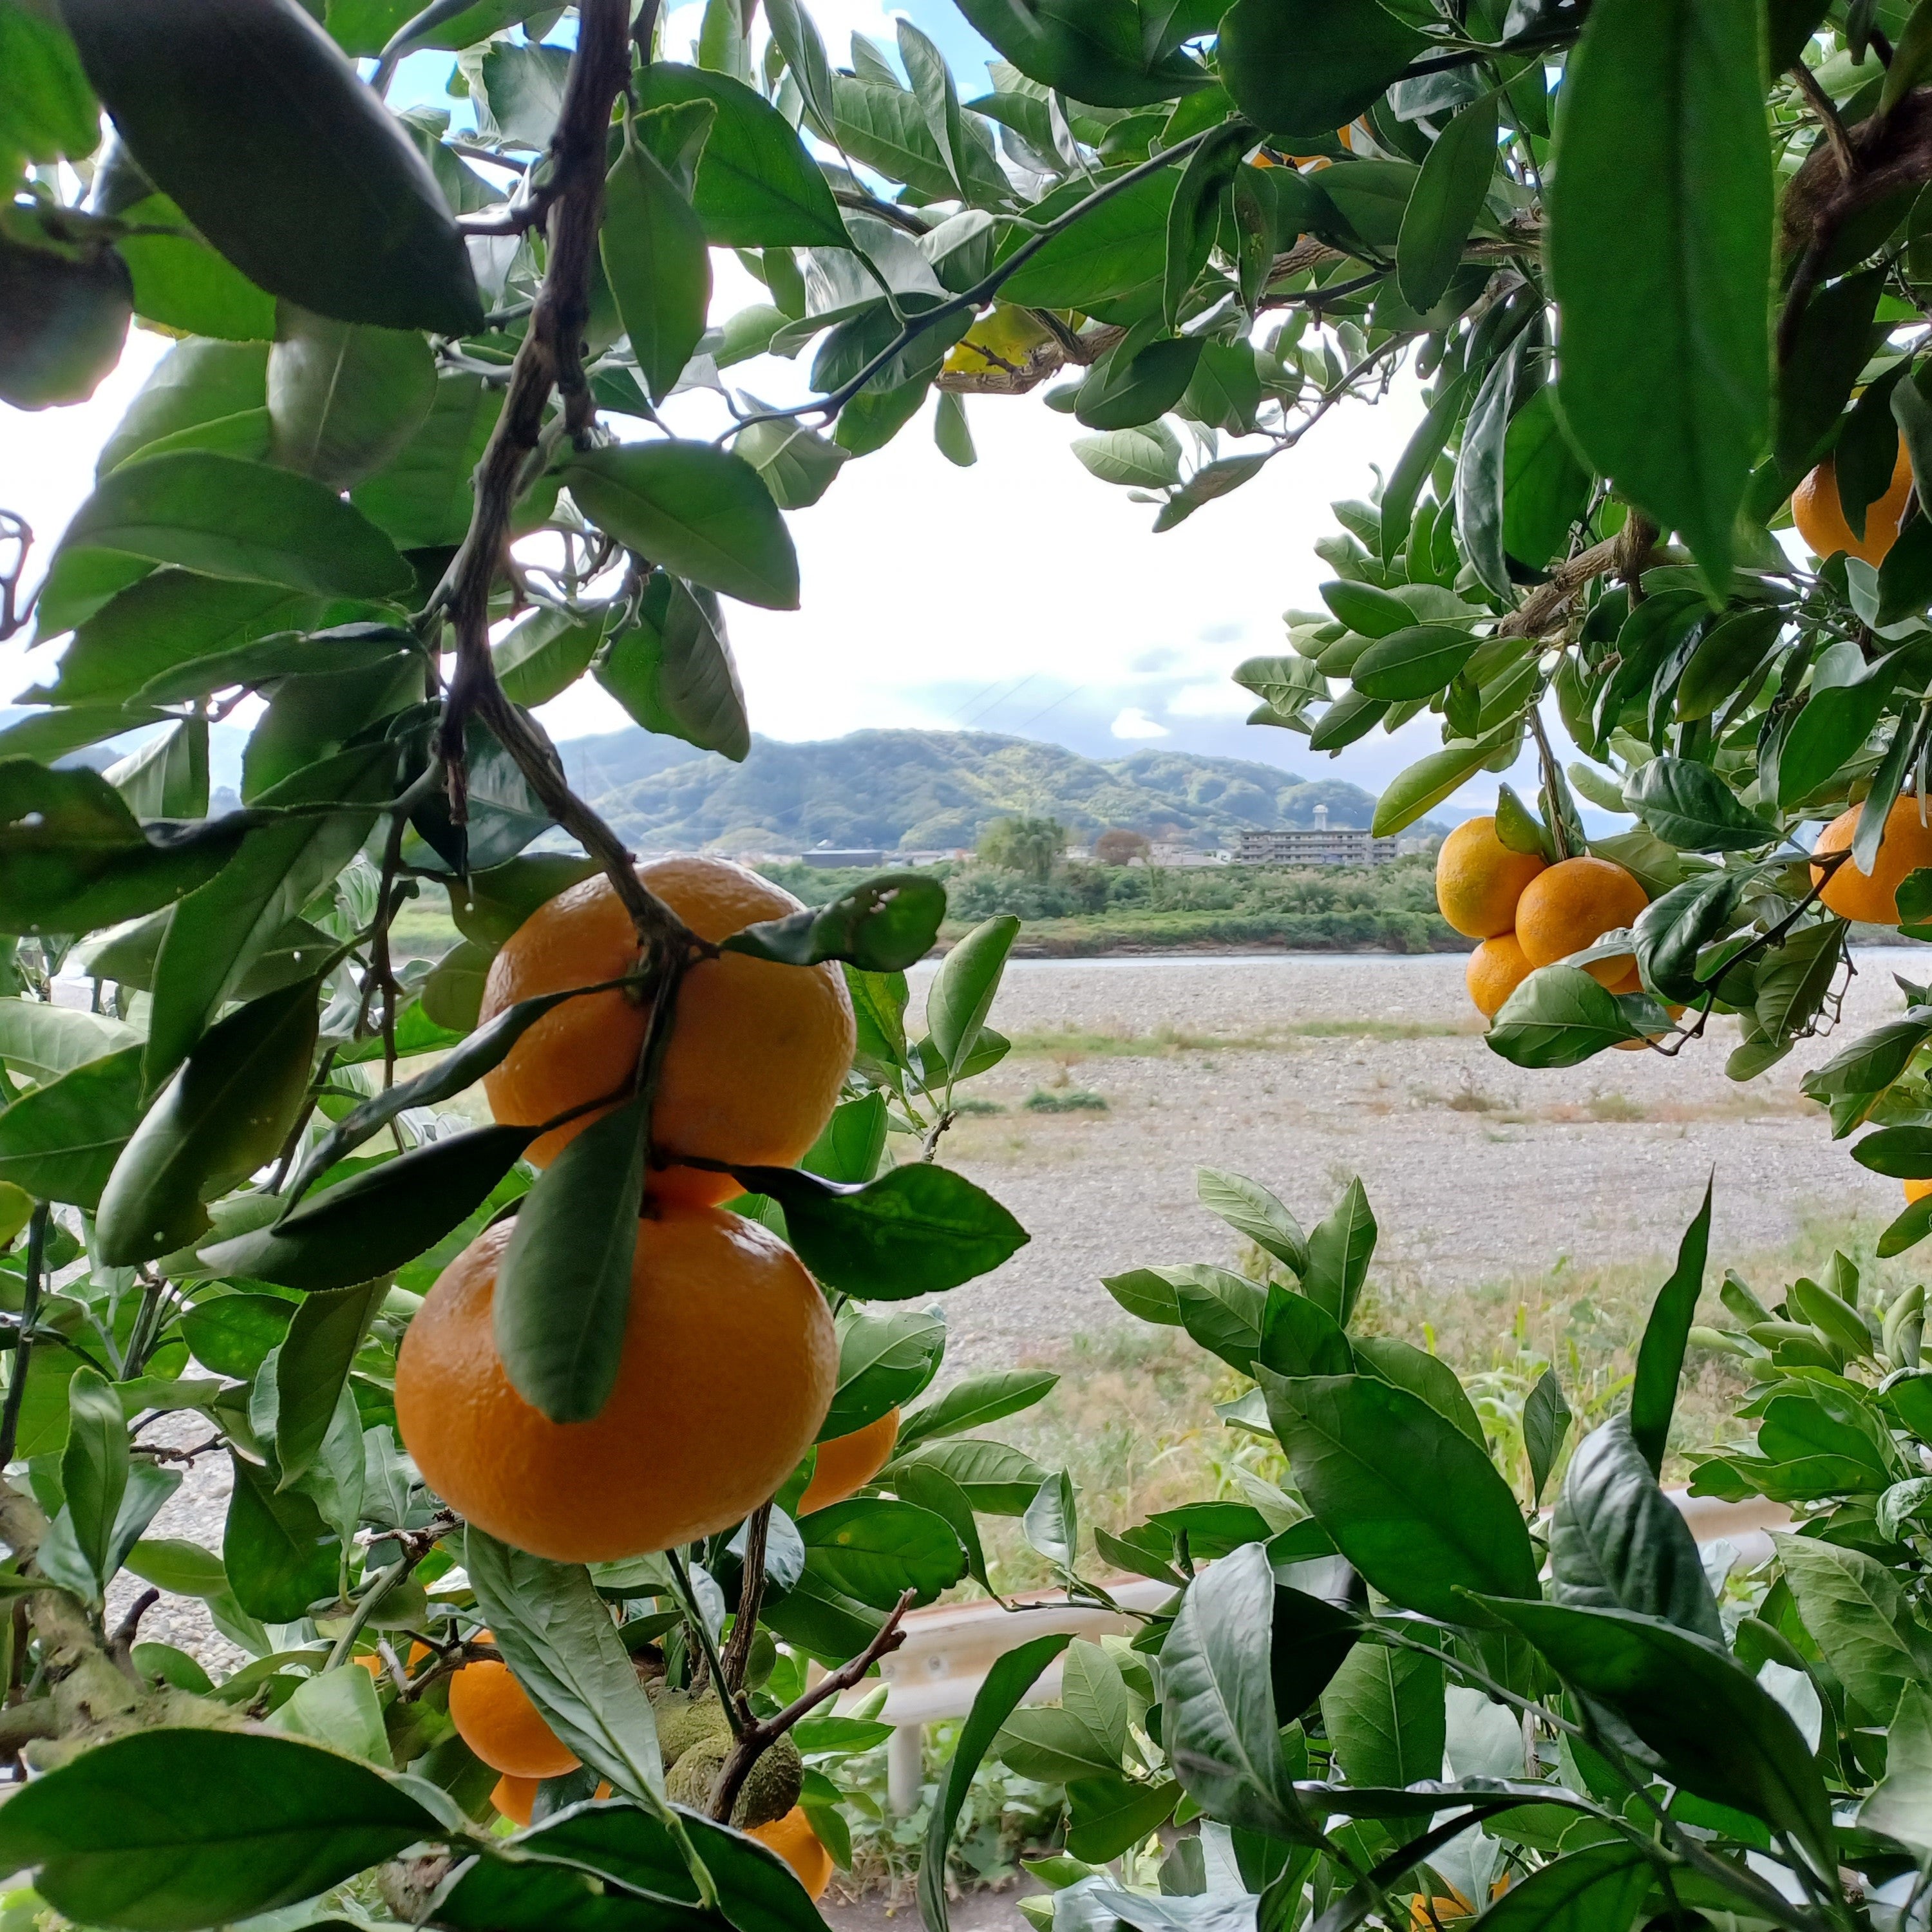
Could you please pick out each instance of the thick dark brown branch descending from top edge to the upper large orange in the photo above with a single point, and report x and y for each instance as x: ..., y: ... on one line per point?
x: 548, y: 362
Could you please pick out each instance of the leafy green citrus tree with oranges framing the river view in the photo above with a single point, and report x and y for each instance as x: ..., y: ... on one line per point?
x: 1367, y: 1693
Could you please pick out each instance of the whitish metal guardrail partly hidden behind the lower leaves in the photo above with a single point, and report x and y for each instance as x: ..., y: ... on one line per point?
x: 952, y: 1647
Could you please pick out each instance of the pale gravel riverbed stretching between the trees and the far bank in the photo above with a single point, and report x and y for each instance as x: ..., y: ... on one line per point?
x: 1477, y: 1172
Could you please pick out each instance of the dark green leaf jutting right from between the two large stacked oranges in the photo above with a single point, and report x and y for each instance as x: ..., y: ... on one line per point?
x: 913, y: 1232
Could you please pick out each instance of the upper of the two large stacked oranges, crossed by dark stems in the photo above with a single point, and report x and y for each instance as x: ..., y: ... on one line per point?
x: 754, y: 1065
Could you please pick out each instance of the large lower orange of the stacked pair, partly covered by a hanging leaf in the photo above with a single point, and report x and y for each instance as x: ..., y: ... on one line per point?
x: 729, y: 1367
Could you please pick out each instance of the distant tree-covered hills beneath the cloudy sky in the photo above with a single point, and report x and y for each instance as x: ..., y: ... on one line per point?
x: 928, y: 789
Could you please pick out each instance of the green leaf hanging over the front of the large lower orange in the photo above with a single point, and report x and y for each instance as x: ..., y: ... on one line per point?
x: 563, y: 1288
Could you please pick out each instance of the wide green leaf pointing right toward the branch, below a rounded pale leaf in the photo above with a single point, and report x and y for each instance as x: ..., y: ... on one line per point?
x: 229, y: 519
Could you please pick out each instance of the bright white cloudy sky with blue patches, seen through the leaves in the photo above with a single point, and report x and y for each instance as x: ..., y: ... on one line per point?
x: 1019, y: 596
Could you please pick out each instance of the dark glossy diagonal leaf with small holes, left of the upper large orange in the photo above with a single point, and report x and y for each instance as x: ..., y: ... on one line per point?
x: 223, y: 1114
